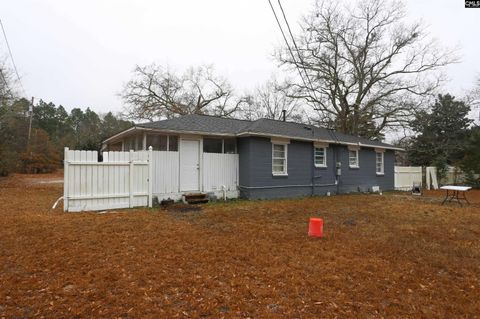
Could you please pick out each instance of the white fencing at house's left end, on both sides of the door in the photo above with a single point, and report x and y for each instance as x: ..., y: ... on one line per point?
x: 132, y: 179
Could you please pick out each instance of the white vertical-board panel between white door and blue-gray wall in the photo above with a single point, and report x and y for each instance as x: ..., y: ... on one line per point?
x: 220, y: 170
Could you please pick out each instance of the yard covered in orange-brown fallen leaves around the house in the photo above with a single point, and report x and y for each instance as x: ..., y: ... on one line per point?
x: 383, y: 256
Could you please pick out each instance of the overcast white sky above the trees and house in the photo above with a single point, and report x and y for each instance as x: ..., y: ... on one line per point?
x: 80, y: 53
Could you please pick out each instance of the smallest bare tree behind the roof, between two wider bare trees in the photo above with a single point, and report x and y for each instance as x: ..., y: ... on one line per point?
x: 270, y: 100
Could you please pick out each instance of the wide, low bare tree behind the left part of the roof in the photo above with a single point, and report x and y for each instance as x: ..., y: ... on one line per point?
x: 155, y: 92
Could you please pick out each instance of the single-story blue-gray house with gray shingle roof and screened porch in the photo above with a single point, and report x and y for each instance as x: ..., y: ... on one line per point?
x: 275, y: 158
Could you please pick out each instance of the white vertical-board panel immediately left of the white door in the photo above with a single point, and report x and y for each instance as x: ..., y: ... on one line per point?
x: 166, y: 172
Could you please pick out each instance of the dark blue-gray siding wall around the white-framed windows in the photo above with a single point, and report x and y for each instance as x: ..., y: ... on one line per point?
x: 257, y: 181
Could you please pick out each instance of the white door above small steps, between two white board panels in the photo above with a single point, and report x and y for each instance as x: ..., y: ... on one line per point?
x: 189, y: 165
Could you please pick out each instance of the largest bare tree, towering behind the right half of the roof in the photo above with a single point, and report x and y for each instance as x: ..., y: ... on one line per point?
x: 367, y: 70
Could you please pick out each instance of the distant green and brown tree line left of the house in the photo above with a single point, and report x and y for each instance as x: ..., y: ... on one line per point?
x: 53, y: 128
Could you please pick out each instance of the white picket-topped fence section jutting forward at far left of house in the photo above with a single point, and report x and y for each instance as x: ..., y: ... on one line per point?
x: 122, y: 180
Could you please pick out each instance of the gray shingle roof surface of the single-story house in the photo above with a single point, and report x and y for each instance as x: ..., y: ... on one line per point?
x: 267, y: 127
